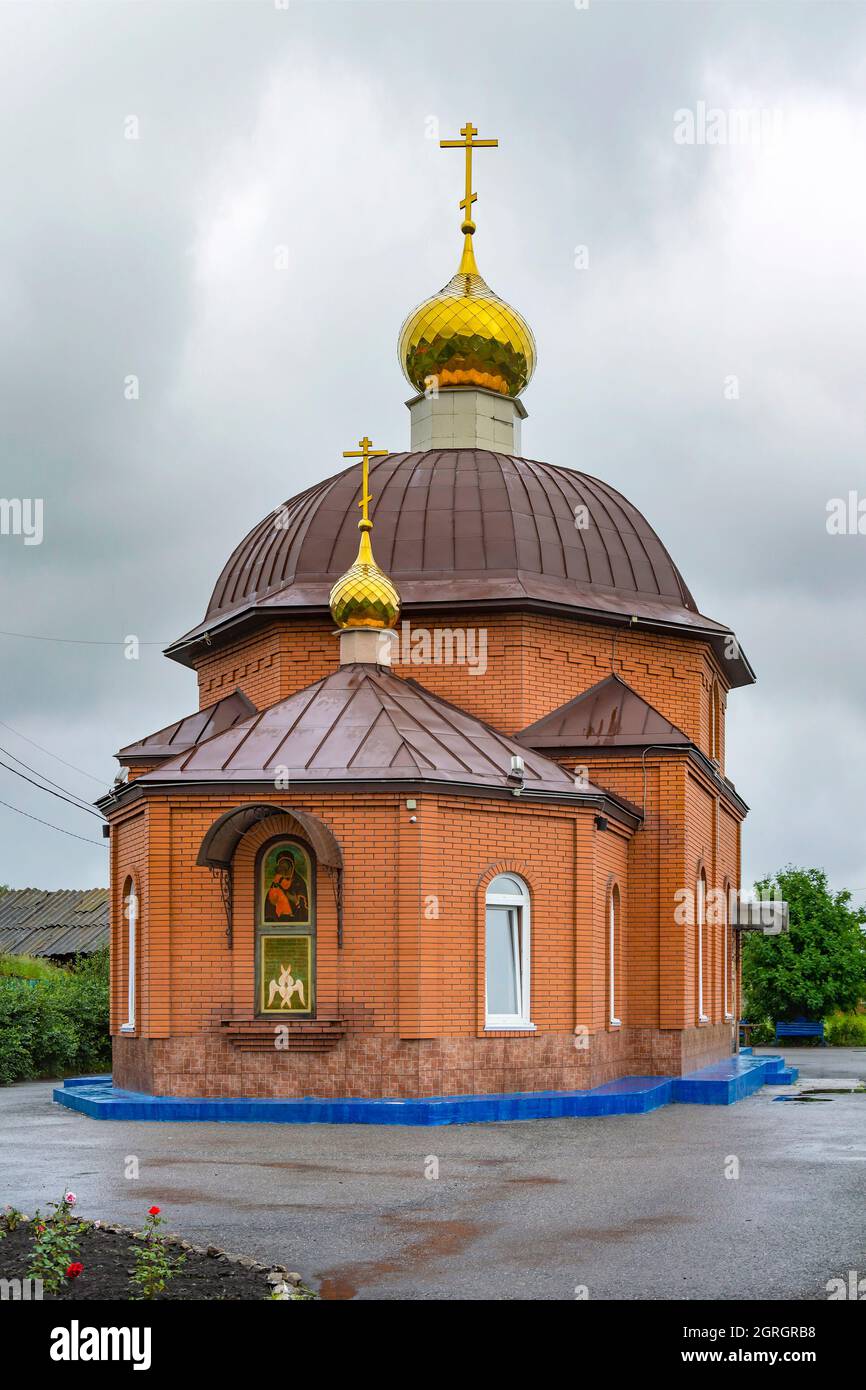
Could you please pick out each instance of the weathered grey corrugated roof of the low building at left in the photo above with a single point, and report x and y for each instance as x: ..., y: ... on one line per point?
x: 65, y: 922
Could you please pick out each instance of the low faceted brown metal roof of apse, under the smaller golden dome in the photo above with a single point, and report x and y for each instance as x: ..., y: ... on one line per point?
x: 365, y: 725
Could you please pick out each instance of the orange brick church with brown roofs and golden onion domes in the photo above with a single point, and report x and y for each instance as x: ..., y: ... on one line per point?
x: 452, y: 817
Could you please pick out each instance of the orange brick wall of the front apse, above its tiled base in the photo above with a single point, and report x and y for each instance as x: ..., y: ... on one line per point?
x: 402, y: 968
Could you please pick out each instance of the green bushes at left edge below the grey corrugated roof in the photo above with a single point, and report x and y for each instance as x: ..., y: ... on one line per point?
x: 55, y: 1027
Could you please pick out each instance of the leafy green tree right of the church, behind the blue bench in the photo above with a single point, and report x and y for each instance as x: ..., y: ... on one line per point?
x: 817, y: 967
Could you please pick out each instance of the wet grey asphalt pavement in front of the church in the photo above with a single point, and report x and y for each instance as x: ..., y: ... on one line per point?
x: 630, y: 1207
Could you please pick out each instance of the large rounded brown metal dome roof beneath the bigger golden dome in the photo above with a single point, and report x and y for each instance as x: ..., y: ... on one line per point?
x: 462, y: 528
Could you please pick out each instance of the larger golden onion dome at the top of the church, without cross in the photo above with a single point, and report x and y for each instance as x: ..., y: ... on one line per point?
x: 468, y: 337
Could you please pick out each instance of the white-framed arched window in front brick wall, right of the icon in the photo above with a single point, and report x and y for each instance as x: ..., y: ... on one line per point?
x: 507, y: 974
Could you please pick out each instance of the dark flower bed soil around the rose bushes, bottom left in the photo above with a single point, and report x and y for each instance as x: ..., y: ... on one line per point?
x: 108, y: 1254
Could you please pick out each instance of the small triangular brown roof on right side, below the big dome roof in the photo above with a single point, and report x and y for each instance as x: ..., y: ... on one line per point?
x: 610, y: 715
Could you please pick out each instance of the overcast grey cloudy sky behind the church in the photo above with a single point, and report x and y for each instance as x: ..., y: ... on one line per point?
x: 308, y: 127
